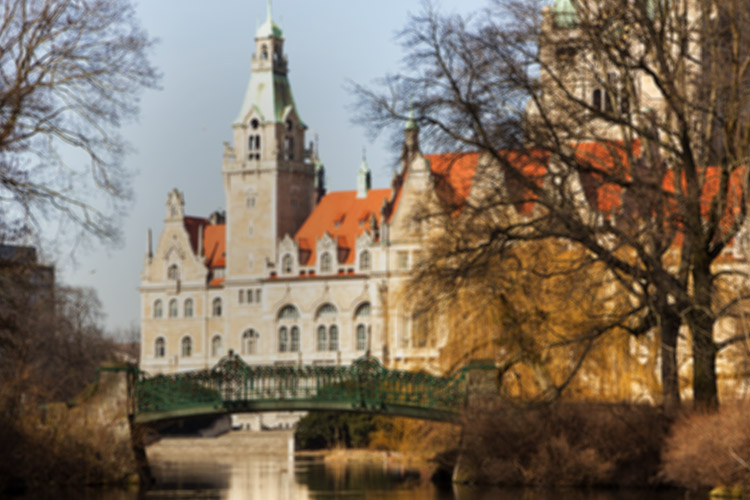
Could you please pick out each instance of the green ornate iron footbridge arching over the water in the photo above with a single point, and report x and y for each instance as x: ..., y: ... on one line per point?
x: 232, y: 386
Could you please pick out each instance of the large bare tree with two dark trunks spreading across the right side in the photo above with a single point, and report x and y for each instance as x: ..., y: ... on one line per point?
x: 634, y: 113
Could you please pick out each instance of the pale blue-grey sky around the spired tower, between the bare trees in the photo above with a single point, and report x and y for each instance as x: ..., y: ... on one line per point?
x: 203, y: 53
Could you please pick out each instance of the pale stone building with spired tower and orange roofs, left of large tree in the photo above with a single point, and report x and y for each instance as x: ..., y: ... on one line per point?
x: 289, y: 274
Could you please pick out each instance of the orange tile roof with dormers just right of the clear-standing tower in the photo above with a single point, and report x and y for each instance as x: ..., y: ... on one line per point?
x: 343, y: 216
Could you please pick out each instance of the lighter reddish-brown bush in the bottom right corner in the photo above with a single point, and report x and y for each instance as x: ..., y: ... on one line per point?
x: 710, y: 449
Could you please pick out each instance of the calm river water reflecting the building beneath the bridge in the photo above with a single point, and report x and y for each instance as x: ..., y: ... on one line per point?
x: 248, y: 470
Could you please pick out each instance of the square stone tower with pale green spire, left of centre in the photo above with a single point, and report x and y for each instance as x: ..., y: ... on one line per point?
x: 269, y: 174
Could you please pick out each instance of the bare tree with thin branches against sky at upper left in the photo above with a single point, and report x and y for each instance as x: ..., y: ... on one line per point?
x: 70, y: 75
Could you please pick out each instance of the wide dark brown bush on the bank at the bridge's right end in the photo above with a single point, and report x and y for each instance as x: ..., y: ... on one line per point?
x: 567, y: 444
